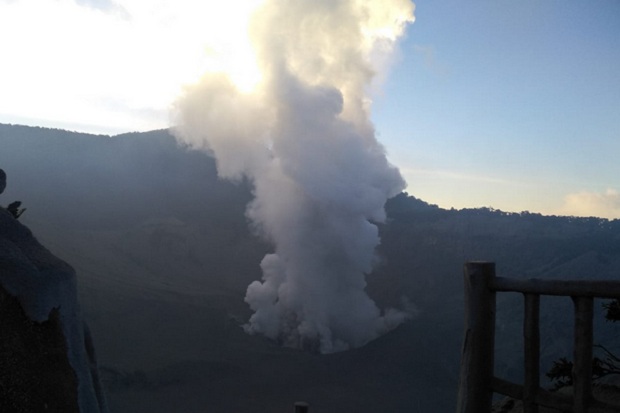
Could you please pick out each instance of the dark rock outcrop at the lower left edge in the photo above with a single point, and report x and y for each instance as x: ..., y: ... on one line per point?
x: 47, y: 360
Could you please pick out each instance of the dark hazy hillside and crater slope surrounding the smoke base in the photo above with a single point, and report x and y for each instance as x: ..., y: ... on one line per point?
x: 163, y: 255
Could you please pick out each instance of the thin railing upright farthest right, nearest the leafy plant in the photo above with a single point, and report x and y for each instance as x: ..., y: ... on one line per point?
x: 582, y: 367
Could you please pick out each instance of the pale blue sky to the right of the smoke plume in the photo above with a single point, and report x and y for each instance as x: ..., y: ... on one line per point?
x: 513, y: 105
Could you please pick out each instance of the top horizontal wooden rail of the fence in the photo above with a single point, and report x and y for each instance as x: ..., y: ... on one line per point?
x: 581, y: 288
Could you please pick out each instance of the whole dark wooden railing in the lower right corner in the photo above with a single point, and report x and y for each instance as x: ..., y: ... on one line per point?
x: 477, y: 380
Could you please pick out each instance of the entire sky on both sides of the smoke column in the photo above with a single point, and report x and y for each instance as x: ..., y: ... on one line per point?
x: 503, y: 104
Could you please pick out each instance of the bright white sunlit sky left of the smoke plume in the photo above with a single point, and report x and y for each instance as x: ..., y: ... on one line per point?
x: 122, y: 64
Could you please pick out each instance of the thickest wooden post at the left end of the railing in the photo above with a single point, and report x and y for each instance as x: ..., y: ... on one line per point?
x: 477, y: 358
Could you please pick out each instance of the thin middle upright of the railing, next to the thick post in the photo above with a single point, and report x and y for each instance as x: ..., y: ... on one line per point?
x: 531, y: 343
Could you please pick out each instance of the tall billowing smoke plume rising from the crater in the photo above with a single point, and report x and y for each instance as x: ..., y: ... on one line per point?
x: 303, y: 137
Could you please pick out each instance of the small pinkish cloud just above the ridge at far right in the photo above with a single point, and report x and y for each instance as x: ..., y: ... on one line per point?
x: 592, y: 204
